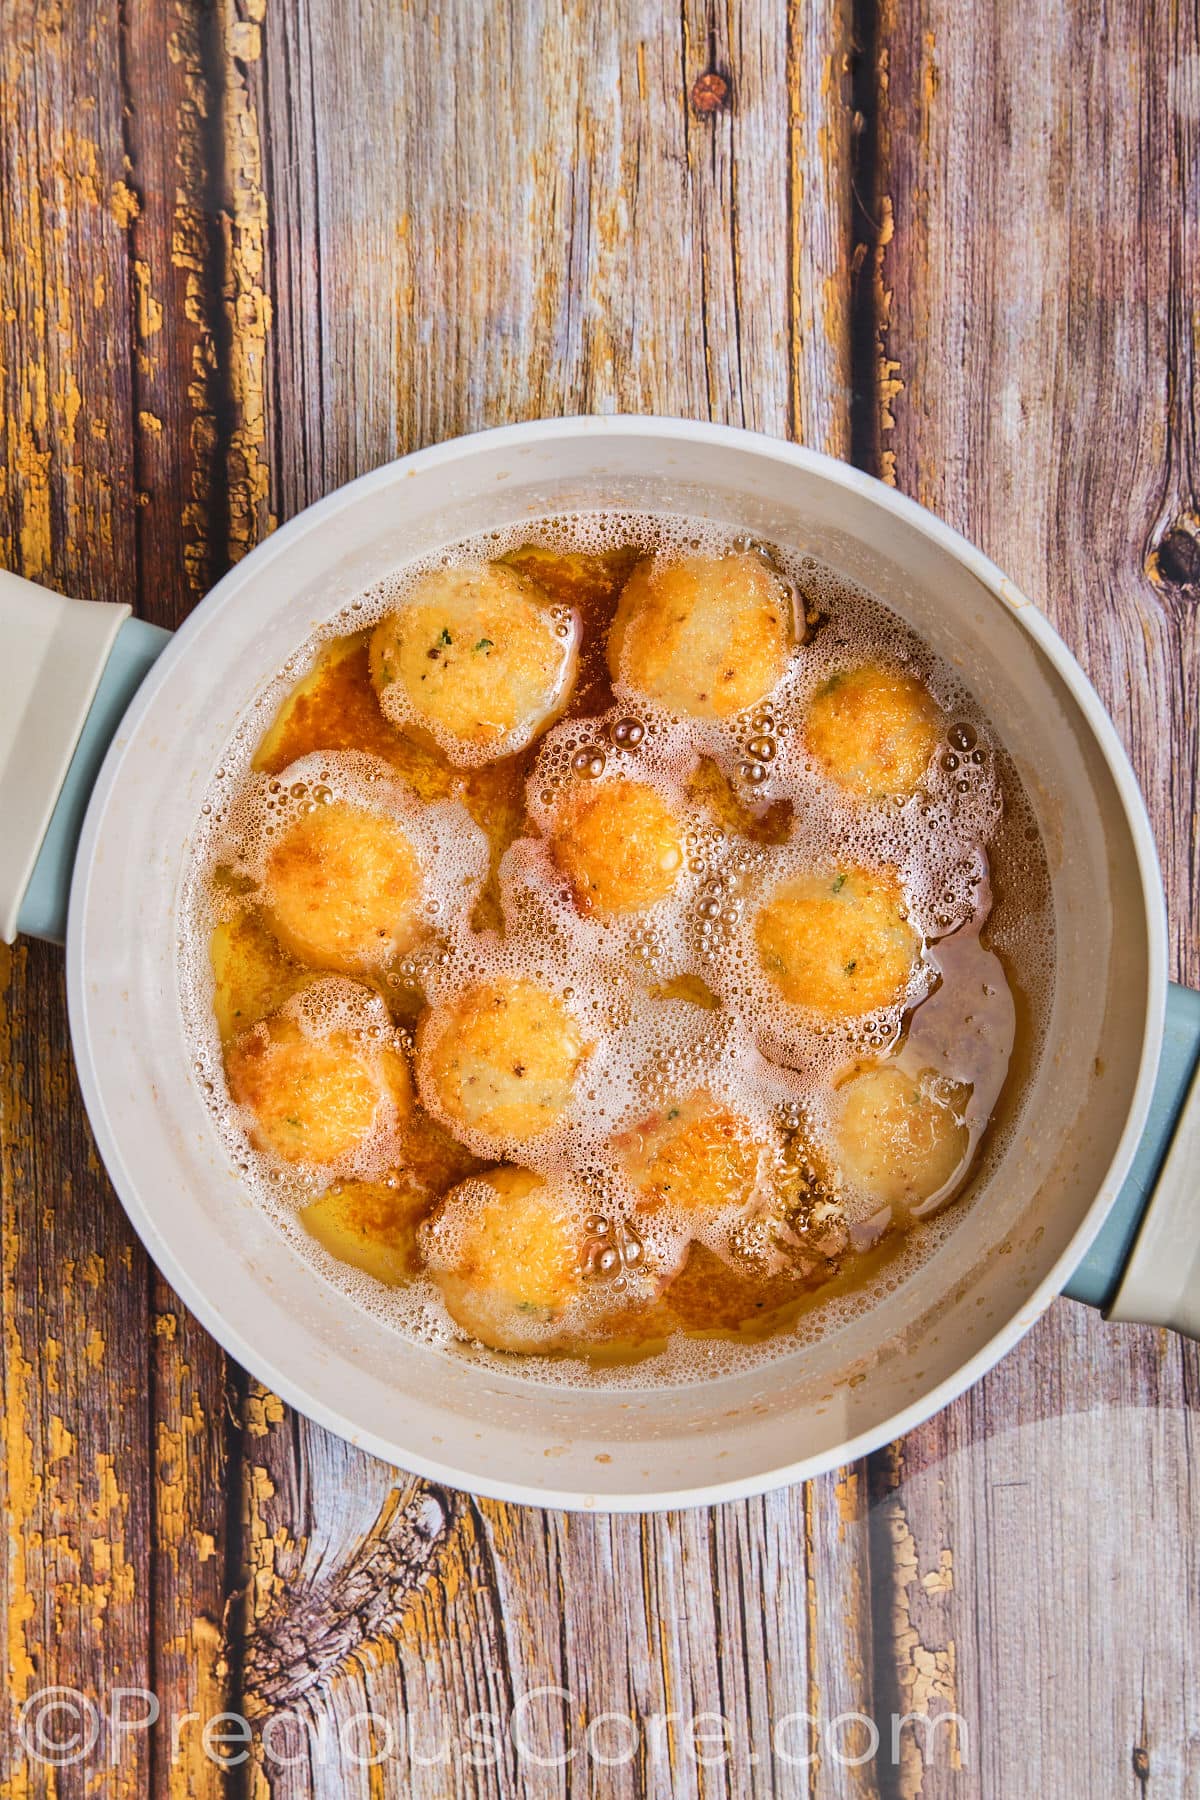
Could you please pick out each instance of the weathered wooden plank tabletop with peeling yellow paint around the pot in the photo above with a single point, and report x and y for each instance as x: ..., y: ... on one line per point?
x: 256, y: 247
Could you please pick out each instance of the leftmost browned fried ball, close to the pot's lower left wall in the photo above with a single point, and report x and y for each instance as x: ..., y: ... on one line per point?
x: 314, y: 1099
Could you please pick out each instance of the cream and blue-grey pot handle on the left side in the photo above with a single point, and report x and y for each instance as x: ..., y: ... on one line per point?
x: 67, y: 674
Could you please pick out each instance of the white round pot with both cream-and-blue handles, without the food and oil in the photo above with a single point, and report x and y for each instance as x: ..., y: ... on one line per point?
x: 1086, y: 1194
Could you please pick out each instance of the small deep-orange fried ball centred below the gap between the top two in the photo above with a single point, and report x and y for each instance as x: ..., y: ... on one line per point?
x: 620, y: 845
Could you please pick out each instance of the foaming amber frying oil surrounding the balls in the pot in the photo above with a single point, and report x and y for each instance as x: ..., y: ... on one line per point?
x: 672, y: 1003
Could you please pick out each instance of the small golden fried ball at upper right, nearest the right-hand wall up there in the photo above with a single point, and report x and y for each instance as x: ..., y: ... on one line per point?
x: 873, y: 732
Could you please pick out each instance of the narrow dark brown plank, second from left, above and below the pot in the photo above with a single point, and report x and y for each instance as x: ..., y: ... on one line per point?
x: 181, y: 420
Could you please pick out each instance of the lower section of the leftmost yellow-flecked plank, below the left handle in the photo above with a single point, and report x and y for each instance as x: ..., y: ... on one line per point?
x: 75, y: 1482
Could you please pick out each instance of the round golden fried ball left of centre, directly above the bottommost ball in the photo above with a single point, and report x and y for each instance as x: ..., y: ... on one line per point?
x: 501, y: 1059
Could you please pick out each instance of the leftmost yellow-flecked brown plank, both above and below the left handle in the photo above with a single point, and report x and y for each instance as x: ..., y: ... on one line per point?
x: 75, y: 1480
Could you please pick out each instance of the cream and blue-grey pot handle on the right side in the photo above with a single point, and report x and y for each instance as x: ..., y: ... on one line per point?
x: 1145, y: 1264
